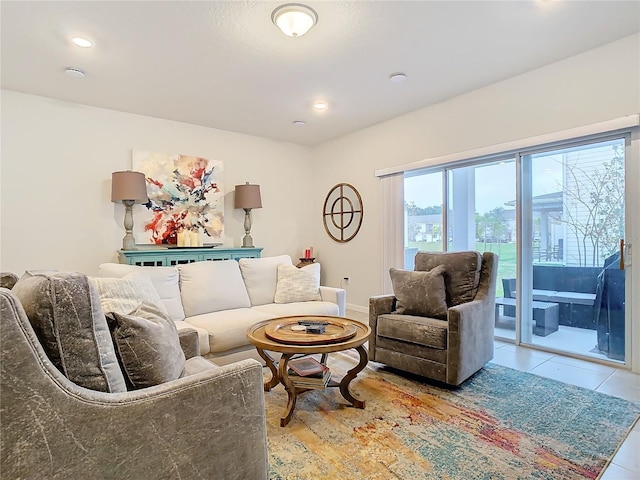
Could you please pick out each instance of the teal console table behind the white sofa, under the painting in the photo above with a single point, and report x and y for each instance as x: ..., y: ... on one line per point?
x: 167, y: 257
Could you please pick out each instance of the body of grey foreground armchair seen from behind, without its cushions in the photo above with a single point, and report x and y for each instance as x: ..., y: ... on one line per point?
x: 209, y: 424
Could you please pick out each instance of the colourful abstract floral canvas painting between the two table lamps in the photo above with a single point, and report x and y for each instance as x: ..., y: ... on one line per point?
x: 185, y: 192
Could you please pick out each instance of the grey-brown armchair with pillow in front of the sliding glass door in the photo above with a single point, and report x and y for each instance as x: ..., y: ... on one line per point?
x: 457, y: 340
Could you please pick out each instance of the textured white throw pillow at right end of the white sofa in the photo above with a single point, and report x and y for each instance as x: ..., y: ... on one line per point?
x: 298, y: 284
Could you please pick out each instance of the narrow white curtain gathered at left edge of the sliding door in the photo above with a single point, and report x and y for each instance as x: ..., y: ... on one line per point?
x: 392, y: 226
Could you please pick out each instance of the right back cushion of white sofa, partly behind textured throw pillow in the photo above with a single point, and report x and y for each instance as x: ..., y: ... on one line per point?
x: 261, y: 277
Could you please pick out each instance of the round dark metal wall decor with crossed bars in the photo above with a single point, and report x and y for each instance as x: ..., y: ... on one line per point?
x: 342, y: 212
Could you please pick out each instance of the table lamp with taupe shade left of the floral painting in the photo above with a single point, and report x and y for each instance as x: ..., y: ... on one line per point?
x: 129, y: 188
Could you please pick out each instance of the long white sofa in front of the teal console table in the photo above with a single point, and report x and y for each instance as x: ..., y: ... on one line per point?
x: 221, y: 299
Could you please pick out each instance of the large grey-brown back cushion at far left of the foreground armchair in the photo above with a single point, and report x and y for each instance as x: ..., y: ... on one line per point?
x: 64, y: 310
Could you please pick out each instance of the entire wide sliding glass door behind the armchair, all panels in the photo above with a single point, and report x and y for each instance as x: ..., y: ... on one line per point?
x: 556, y: 219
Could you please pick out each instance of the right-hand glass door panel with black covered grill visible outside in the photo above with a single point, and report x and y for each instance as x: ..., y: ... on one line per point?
x: 572, y: 278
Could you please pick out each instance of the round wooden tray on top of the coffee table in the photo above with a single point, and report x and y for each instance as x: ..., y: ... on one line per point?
x: 336, y: 331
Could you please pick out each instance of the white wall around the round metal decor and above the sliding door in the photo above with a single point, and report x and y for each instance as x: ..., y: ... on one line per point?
x: 599, y: 85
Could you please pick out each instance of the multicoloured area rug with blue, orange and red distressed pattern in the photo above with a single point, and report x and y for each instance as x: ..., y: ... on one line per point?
x: 500, y: 424
